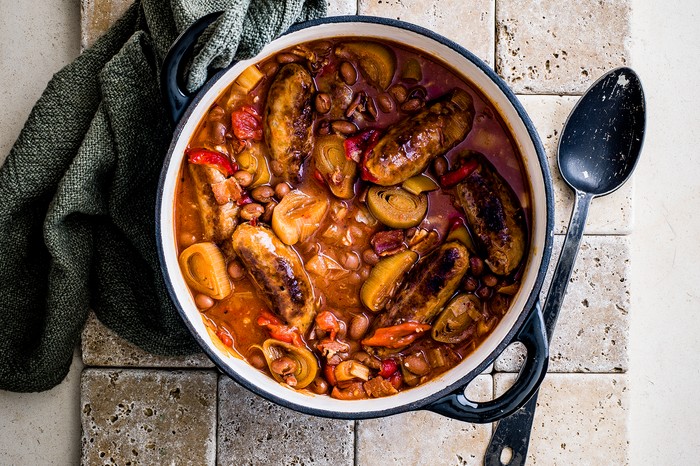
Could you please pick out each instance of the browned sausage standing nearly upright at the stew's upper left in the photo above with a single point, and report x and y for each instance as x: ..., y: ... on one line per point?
x: 288, y: 119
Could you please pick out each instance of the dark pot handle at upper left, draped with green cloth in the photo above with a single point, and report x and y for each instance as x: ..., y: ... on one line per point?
x: 172, y: 82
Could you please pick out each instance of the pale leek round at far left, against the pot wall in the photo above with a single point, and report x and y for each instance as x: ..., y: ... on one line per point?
x: 204, y: 269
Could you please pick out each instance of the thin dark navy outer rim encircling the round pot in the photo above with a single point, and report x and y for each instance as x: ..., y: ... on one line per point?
x: 534, y: 292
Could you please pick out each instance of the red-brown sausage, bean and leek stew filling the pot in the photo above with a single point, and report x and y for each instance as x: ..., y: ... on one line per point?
x: 330, y: 253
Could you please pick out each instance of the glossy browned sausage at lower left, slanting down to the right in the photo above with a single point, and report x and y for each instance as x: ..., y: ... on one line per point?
x: 277, y: 270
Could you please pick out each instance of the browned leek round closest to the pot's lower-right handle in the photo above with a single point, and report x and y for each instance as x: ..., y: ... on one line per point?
x: 454, y: 324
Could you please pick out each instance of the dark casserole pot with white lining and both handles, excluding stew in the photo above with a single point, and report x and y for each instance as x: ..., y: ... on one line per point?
x: 523, y: 322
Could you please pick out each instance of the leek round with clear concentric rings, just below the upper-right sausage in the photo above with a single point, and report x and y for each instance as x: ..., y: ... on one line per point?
x: 396, y: 207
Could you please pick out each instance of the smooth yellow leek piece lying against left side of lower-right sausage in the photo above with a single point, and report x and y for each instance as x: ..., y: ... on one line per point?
x: 385, y: 278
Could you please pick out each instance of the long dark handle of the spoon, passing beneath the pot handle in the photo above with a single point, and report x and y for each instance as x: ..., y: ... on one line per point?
x: 514, y: 431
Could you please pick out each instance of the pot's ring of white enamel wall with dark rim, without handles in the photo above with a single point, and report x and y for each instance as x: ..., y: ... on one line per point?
x: 483, y: 78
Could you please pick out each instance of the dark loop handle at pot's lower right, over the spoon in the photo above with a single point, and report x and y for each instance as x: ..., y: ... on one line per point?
x: 533, y: 336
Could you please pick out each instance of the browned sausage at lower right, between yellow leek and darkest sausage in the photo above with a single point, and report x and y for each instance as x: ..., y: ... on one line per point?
x: 434, y: 280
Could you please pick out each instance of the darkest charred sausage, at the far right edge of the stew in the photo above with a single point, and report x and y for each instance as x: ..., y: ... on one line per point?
x: 494, y: 215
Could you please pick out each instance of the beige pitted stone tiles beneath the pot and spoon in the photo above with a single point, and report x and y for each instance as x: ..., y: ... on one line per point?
x: 142, y: 409
